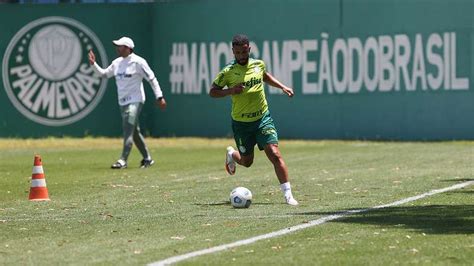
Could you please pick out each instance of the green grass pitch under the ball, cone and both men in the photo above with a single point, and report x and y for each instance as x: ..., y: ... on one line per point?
x: 137, y: 216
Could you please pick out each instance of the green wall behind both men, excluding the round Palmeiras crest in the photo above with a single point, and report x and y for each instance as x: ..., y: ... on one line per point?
x: 314, y: 46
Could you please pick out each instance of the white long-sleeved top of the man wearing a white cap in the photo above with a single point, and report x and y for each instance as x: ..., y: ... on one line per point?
x: 129, y: 73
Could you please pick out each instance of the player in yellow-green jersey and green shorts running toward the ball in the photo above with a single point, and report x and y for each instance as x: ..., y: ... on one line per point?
x: 251, y: 120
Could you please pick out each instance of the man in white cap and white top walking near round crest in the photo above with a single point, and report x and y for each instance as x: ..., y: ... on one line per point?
x: 129, y: 70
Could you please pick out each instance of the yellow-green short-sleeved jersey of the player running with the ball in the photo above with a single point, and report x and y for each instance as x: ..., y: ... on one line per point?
x: 251, y: 104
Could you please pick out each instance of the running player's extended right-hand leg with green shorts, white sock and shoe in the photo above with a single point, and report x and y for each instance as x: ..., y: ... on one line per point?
x: 267, y: 139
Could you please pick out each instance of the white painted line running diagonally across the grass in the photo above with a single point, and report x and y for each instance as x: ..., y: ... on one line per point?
x: 292, y: 229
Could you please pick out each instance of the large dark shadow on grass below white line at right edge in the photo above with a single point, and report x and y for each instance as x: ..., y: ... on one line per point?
x: 430, y: 219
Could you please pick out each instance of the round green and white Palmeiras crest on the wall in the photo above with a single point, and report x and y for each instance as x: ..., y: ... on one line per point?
x: 46, y: 73
